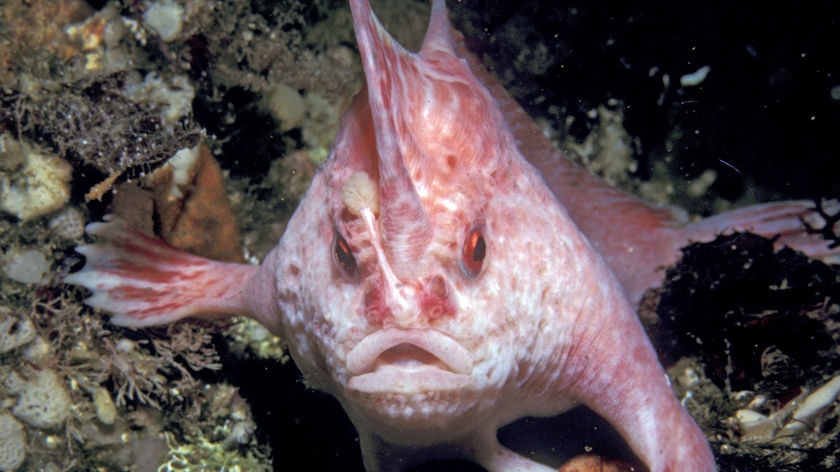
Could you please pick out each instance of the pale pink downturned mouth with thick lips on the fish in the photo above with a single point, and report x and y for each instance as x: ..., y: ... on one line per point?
x: 408, y: 361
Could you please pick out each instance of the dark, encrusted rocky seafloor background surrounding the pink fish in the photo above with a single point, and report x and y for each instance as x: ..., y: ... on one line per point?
x: 97, y: 98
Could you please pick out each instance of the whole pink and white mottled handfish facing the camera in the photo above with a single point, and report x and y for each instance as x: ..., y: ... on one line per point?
x: 435, y: 285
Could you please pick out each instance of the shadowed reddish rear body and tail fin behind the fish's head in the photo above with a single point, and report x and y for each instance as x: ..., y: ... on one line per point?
x: 638, y: 239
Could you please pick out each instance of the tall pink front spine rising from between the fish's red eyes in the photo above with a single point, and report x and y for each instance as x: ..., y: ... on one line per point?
x: 406, y: 228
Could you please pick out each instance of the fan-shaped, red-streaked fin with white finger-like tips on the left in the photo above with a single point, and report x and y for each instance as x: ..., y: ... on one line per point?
x: 143, y: 281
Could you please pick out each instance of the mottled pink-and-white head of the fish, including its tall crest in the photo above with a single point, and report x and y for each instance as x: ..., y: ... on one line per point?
x: 423, y: 303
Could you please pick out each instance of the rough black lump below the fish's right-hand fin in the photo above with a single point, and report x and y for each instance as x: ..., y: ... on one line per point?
x: 730, y: 299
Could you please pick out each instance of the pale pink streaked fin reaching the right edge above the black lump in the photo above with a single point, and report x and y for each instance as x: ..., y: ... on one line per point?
x: 807, y: 226
